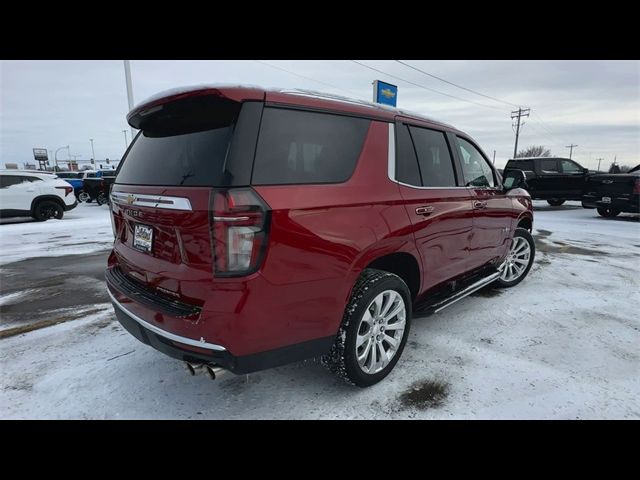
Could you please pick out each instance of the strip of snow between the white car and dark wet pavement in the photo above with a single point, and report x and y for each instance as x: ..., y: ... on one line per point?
x: 84, y: 229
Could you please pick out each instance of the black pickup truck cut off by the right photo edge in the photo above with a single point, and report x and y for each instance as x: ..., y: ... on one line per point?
x: 613, y: 193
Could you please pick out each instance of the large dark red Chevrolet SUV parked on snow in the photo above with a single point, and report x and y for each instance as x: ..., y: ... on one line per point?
x: 255, y: 228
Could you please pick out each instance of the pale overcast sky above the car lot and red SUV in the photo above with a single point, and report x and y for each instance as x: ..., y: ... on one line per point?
x: 595, y: 104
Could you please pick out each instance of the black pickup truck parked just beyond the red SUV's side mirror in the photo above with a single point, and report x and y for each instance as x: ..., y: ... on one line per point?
x: 553, y: 179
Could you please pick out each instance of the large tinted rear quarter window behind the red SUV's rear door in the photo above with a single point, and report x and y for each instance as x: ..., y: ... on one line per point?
x: 307, y: 147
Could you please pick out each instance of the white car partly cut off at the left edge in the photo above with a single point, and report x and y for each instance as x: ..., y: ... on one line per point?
x: 36, y: 194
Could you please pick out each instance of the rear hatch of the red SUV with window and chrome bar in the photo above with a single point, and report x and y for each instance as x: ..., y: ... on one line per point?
x: 188, y: 154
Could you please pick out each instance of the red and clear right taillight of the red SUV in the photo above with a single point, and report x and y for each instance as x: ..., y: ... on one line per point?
x: 239, y: 227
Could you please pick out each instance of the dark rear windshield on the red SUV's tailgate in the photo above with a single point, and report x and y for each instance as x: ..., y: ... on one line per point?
x: 184, y: 144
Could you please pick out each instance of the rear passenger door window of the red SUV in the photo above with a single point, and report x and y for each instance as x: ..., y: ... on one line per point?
x: 434, y: 158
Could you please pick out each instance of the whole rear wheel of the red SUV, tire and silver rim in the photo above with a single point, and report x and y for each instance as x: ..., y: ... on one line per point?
x: 374, y: 329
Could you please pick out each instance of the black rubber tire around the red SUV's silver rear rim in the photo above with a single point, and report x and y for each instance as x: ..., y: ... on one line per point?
x: 342, y: 359
